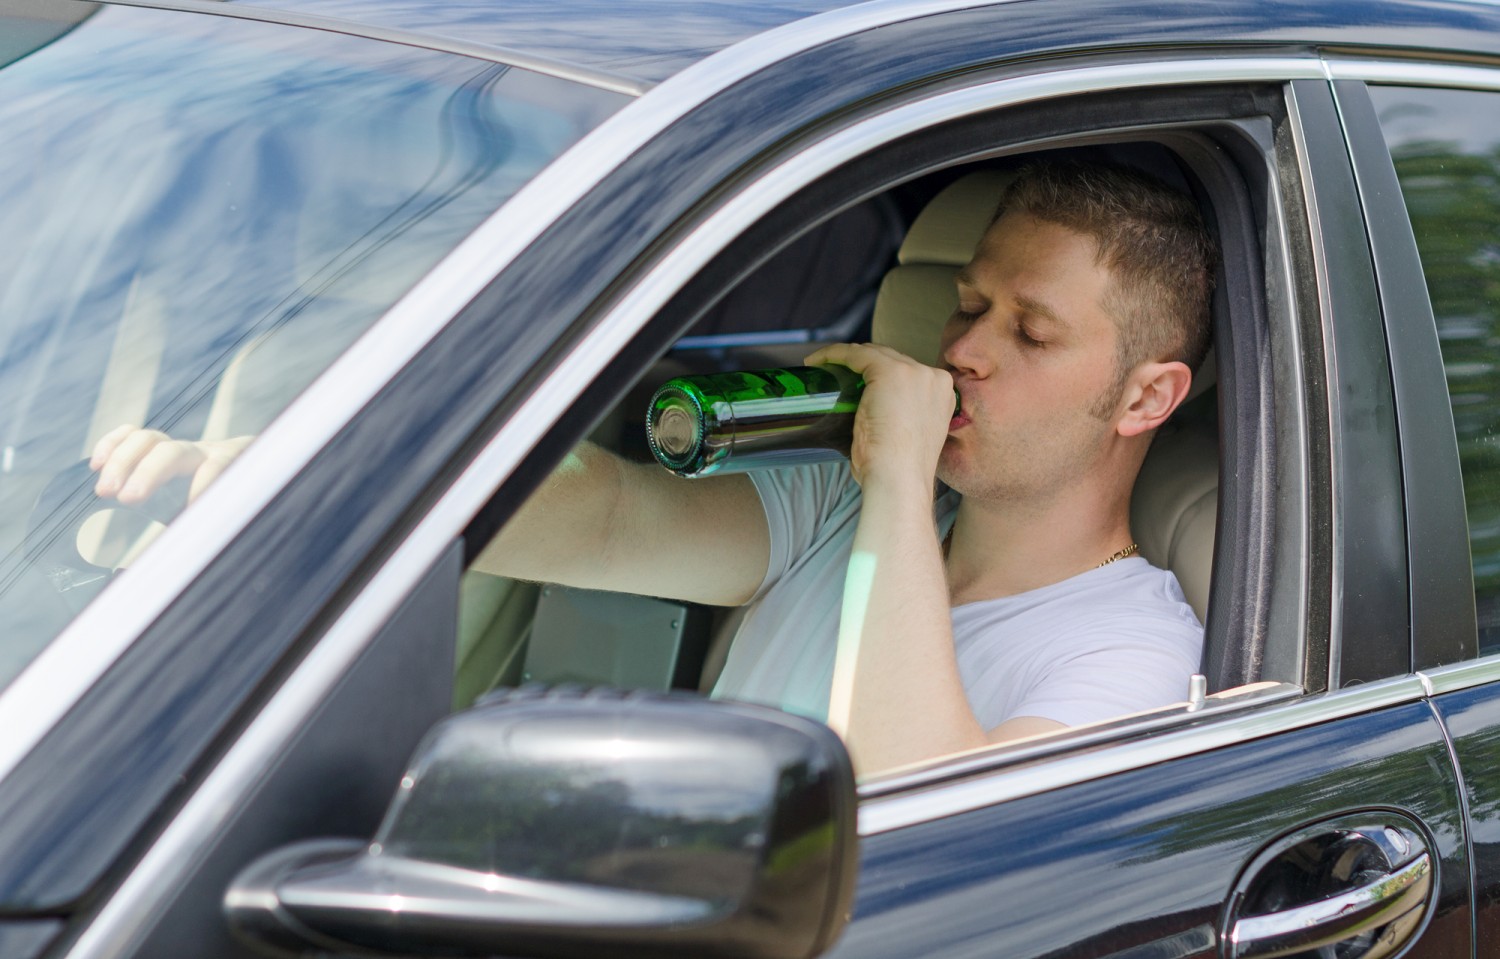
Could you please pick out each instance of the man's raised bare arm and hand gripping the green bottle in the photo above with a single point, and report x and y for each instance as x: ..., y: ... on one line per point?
x: 898, y: 694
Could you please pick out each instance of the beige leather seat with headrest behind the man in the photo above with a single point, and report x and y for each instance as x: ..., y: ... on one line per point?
x: 1174, y: 507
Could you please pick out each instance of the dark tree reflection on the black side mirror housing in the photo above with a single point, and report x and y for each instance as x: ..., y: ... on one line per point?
x: 575, y: 826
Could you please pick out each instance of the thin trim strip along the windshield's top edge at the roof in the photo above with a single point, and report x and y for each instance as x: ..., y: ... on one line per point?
x: 605, y: 80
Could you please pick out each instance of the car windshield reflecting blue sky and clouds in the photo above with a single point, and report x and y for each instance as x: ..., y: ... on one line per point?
x: 197, y: 217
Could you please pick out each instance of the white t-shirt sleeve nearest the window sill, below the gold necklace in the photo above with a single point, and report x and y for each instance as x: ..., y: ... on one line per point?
x: 1109, y: 673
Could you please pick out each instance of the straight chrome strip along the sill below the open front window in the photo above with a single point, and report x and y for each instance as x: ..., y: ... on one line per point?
x: 887, y: 814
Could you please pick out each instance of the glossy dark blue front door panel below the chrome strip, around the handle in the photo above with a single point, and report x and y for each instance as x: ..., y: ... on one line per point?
x: 1142, y: 864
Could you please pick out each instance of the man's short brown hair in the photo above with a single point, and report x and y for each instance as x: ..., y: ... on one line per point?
x: 1153, y: 239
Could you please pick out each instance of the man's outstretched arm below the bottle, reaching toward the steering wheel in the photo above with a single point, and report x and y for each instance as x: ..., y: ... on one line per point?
x: 608, y: 525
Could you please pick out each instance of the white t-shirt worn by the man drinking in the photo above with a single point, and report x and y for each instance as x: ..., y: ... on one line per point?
x: 1115, y: 640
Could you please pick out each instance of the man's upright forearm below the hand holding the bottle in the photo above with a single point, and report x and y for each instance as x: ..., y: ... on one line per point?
x: 898, y: 693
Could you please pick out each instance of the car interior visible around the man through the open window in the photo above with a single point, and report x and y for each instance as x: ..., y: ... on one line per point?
x: 880, y: 271
